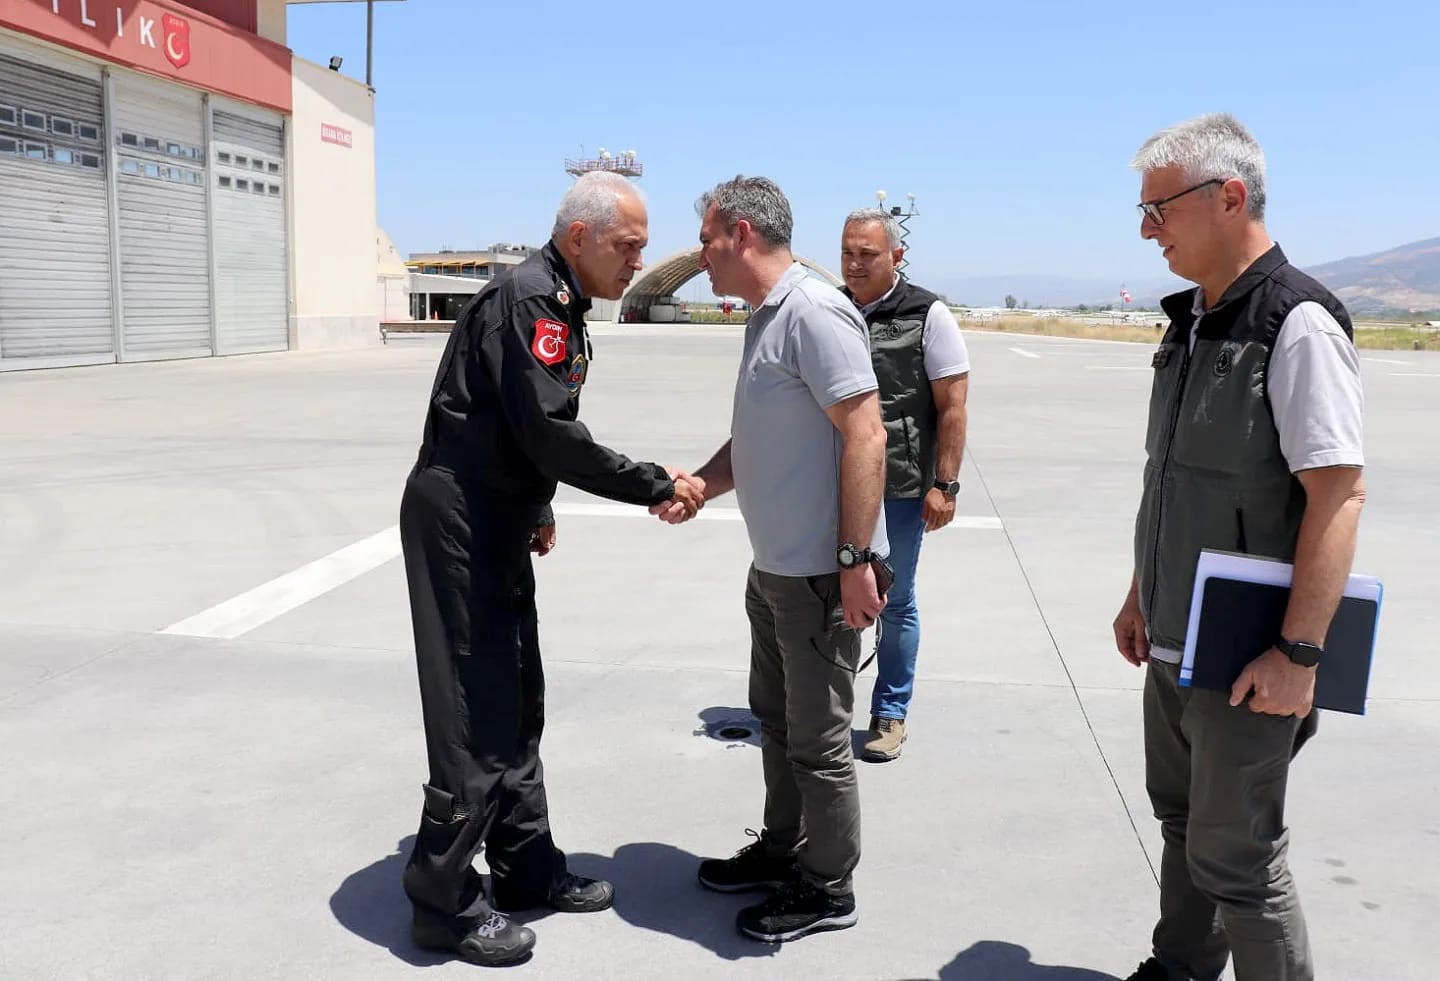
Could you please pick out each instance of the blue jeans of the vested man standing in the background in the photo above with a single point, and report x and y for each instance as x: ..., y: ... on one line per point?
x: 901, y: 619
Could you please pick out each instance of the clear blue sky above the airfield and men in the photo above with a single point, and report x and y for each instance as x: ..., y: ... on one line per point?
x: 1012, y: 123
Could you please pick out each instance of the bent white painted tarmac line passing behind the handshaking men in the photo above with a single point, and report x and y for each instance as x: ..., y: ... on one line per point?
x: 279, y: 597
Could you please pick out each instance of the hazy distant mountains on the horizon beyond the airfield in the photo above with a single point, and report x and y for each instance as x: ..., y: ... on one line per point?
x: 1402, y: 279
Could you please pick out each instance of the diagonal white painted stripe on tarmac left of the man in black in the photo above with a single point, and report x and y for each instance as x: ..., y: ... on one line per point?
x: 279, y: 597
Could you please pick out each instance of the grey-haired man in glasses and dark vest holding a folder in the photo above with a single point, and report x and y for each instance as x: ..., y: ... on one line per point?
x: 1254, y: 446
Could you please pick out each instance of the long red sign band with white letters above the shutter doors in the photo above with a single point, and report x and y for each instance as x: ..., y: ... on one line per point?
x: 165, y: 41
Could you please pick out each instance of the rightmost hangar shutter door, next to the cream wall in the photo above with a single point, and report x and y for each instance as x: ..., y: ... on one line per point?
x: 251, y: 261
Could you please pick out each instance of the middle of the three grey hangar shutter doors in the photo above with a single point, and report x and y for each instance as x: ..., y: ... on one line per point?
x: 165, y: 247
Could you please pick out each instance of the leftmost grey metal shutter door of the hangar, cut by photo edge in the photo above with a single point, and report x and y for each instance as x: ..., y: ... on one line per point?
x: 55, y: 282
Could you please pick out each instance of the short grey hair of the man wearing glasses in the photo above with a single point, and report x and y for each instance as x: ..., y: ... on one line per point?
x: 1209, y: 148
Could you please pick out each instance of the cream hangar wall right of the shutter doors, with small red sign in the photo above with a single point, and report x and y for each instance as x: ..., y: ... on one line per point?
x: 333, y: 211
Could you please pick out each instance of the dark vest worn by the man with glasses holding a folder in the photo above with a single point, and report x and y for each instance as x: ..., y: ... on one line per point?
x: 1215, y: 475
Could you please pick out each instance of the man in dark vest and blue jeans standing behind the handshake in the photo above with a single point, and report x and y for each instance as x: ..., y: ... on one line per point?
x: 924, y: 372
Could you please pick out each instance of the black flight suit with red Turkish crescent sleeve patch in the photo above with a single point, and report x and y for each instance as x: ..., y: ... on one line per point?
x: 499, y: 434
